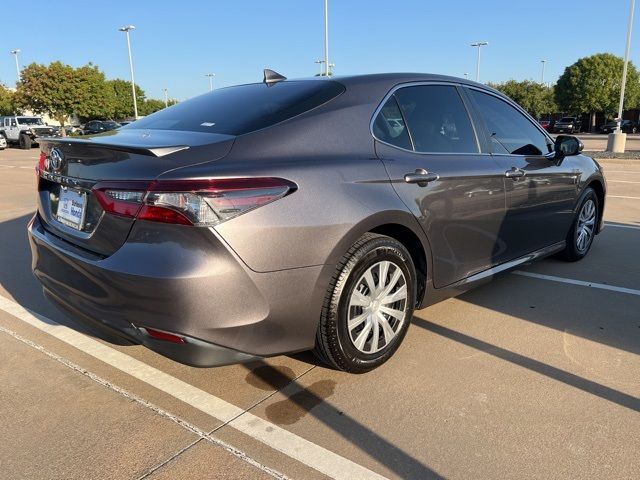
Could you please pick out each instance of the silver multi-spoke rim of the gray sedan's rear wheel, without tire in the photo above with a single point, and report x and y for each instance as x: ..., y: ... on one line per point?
x: 377, y: 307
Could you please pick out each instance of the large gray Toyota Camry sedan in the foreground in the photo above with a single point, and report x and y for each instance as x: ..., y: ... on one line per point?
x: 283, y: 216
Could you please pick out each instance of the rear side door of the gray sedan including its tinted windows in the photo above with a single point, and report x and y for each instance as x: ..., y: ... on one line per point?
x: 436, y: 164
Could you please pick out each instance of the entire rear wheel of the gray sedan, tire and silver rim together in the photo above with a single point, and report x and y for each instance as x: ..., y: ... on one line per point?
x: 352, y: 349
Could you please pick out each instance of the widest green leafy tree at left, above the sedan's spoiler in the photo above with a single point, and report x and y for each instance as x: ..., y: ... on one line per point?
x: 60, y: 91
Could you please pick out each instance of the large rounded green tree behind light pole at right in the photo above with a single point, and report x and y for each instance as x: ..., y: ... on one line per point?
x: 592, y: 85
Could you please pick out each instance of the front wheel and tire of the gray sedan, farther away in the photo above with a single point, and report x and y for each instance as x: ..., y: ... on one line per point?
x: 587, y: 215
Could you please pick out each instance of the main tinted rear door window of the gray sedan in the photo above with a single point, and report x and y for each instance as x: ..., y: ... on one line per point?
x: 437, y: 119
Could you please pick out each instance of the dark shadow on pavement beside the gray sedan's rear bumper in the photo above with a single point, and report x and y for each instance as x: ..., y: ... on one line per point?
x: 18, y: 280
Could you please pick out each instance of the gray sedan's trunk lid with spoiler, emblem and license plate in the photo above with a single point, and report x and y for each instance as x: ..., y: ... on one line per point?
x: 71, y: 167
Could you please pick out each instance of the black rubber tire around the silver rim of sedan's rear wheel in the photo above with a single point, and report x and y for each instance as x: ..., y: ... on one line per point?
x: 334, y: 345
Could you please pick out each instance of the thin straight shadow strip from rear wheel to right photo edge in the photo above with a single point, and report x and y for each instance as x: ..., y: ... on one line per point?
x: 568, y: 378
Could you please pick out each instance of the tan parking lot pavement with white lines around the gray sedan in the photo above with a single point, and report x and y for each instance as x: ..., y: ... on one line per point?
x: 535, y: 375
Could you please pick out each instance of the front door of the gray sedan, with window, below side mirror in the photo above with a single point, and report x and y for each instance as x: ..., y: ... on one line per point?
x: 540, y: 191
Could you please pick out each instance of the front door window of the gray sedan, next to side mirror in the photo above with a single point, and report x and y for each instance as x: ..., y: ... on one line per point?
x: 510, y: 131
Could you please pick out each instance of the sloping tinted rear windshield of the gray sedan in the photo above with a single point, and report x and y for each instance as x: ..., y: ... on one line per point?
x: 242, y: 109
